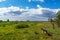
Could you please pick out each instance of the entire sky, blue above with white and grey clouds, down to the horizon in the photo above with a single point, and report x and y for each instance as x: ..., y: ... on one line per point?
x: 38, y: 10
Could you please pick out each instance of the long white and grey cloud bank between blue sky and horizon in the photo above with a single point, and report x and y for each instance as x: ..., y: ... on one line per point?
x: 25, y: 14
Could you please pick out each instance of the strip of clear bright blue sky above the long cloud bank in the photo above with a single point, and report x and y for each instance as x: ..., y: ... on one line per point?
x: 32, y: 4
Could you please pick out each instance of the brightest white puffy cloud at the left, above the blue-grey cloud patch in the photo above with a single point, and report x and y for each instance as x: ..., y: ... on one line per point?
x: 9, y: 9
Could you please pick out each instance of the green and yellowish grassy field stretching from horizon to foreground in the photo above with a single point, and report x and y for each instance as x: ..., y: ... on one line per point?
x: 28, y: 31
